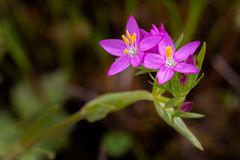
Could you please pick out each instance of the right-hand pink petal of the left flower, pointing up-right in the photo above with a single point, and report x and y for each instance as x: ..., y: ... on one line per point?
x: 149, y: 42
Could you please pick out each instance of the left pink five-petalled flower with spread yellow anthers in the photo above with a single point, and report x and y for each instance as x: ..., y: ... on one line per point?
x: 131, y: 49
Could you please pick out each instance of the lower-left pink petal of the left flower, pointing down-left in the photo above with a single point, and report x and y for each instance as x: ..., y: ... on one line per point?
x: 119, y: 65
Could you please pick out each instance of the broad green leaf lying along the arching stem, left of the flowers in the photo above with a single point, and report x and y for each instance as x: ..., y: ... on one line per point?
x: 99, y: 107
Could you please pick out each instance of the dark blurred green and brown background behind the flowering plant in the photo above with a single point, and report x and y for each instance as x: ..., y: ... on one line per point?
x: 51, y: 64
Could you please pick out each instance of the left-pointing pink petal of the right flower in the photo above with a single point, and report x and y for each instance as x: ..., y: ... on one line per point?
x: 153, y: 61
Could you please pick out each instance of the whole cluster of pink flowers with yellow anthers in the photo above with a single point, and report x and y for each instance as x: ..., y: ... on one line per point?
x: 153, y: 50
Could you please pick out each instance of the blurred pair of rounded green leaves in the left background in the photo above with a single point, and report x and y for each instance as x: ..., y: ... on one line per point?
x: 26, y: 102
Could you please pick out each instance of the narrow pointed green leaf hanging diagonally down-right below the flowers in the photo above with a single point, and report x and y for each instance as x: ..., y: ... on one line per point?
x: 177, y: 123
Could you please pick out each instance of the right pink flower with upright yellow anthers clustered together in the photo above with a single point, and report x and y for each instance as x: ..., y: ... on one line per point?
x: 167, y: 60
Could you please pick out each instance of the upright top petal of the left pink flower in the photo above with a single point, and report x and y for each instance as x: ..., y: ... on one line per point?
x: 132, y: 27
